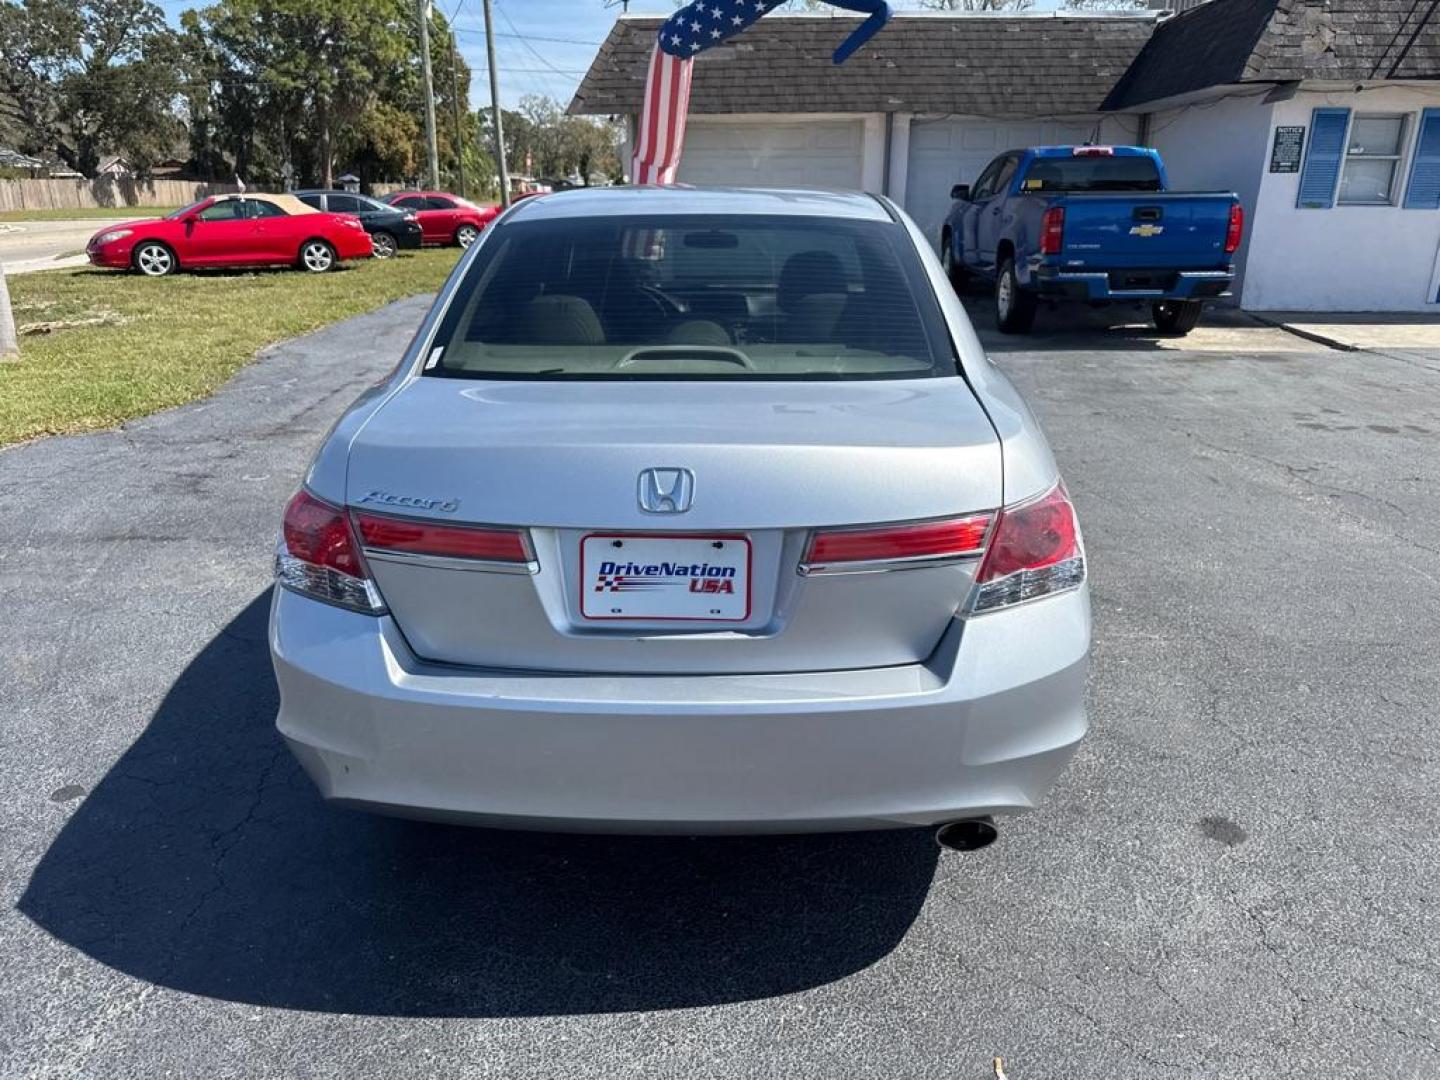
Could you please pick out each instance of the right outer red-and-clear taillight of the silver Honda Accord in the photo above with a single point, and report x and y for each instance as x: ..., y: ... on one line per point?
x: 1033, y: 552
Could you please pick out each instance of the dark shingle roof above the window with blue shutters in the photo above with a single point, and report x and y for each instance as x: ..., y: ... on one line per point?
x: 1226, y: 42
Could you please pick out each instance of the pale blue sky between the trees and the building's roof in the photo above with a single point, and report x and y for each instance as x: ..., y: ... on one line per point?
x: 544, y: 47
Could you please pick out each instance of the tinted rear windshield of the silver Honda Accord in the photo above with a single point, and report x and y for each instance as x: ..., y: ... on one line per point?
x: 695, y: 297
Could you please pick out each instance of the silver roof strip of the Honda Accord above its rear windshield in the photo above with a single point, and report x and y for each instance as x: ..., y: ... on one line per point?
x: 585, y: 202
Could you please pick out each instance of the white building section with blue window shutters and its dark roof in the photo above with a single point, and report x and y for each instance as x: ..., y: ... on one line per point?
x: 1326, y: 119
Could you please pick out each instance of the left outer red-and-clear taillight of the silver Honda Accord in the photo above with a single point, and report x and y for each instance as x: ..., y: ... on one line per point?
x: 320, y: 557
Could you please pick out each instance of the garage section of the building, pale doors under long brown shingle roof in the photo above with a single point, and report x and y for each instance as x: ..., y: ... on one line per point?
x: 927, y: 104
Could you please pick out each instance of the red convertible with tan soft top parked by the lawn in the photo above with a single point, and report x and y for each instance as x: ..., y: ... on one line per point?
x: 233, y: 231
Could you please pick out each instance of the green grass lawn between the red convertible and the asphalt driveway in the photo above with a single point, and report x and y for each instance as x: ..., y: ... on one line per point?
x: 99, y: 348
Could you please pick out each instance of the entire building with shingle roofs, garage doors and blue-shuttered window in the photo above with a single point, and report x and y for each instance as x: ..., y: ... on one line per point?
x: 1323, y: 116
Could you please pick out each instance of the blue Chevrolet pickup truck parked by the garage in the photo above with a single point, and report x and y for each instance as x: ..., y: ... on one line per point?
x: 1097, y: 225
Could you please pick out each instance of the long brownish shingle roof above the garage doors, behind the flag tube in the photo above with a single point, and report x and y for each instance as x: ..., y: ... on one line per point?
x: 989, y: 67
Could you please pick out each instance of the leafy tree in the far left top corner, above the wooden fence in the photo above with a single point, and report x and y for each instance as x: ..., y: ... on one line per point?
x: 90, y: 77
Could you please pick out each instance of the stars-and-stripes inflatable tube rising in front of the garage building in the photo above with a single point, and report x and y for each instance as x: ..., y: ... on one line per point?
x: 690, y: 31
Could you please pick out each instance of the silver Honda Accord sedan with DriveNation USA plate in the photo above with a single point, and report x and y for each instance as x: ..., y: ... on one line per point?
x: 688, y: 512
